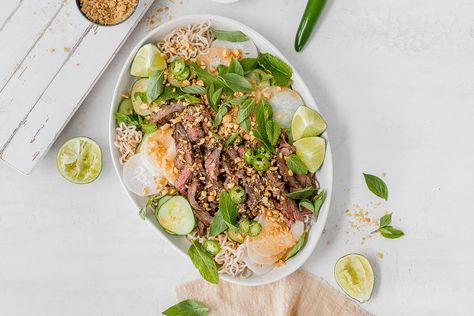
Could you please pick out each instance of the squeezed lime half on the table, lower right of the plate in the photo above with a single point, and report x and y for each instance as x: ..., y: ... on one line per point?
x: 355, y: 276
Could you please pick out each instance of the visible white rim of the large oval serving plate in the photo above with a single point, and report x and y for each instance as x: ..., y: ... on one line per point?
x: 324, y: 175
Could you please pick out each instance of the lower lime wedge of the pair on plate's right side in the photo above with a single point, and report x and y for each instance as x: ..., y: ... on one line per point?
x: 311, y: 150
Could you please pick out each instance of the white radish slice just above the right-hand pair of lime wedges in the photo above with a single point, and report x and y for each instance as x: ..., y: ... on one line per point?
x: 284, y: 102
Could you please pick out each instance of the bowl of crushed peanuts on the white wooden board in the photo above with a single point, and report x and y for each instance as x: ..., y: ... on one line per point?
x: 107, y: 12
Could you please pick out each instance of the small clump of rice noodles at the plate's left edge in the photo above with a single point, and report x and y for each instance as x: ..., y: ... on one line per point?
x: 127, y: 139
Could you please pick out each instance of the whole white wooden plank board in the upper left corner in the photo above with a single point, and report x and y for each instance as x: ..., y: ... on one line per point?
x: 51, y: 57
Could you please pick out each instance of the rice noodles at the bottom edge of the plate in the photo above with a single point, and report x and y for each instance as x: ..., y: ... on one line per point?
x: 230, y: 257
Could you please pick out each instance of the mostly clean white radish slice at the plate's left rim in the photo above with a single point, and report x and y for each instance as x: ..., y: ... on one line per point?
x: 139, y: 179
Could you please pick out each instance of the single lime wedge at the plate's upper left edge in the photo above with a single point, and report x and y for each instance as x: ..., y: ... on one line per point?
x: 147, y: 61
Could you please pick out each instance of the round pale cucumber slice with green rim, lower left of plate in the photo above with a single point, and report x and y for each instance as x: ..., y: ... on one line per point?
x: 176, y: 216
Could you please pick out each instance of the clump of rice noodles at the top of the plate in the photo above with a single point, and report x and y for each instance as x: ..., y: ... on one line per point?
x: 187, y: 41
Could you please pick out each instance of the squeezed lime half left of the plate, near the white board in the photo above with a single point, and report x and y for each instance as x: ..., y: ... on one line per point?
x: 79, y: 160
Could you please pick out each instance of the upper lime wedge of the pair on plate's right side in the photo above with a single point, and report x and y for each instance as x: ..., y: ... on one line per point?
x: 307, y: 123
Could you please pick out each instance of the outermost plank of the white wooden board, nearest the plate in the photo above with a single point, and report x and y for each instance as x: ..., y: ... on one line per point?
x: 63, y: 95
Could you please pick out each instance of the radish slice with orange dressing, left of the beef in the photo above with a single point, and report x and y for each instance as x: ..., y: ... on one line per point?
x: 159, y: 152
